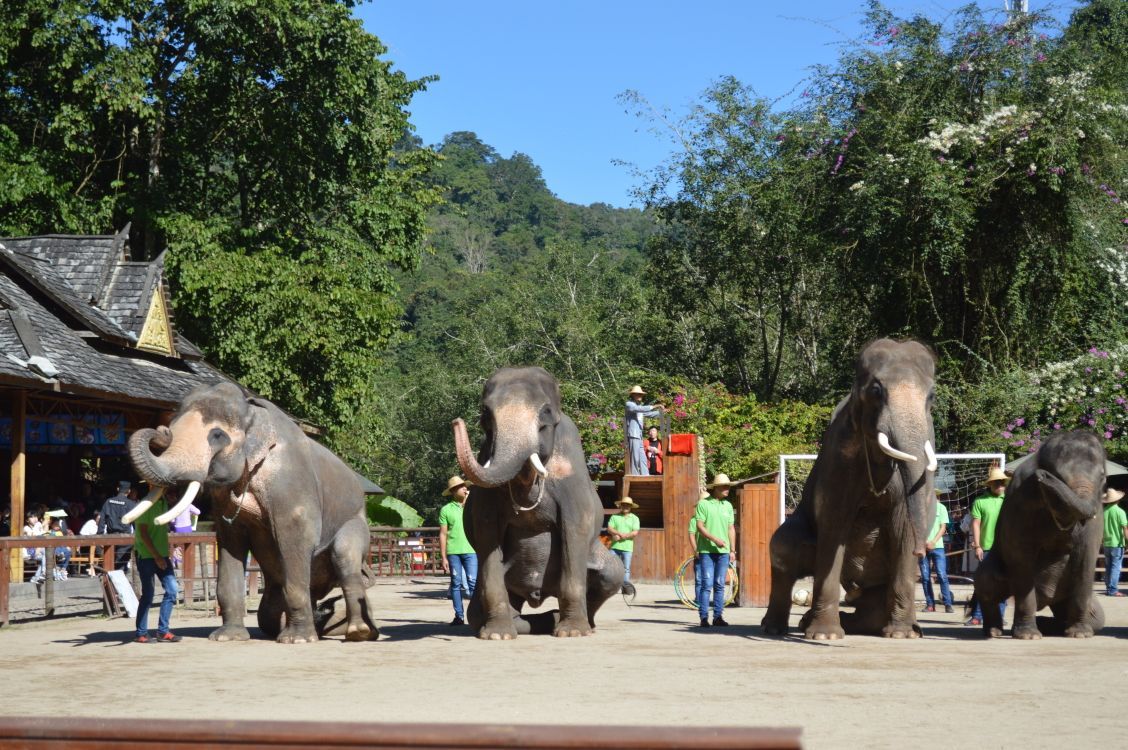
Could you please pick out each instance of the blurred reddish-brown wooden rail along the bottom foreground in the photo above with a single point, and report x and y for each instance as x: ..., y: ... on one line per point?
x: 118, y: 734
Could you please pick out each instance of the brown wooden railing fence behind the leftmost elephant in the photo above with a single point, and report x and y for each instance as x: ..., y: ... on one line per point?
x: 393, y: 552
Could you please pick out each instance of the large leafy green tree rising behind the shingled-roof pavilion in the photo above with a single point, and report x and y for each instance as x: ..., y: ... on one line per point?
x: 257, y: 142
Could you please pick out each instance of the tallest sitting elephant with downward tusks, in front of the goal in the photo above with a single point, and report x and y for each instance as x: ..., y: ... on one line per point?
x: 867, y: 506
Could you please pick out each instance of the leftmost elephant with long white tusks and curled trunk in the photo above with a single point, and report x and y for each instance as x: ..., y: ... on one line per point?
x: 276, y: 493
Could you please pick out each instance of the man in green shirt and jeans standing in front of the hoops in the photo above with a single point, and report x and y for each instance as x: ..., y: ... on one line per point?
x: 717, y: 546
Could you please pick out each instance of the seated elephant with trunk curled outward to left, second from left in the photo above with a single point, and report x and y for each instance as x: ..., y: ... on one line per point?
x: 534, y: 516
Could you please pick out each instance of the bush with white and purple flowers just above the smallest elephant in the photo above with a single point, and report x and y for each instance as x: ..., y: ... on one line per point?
x: 1087, y: 393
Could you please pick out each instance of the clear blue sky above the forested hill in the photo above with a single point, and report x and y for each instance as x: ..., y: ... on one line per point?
x: 543, y: 78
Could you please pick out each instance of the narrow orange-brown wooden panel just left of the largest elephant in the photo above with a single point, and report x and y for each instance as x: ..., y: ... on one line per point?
x: 759, y: 516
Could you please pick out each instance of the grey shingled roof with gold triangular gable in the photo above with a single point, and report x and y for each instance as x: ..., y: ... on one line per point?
x: 78, y: 316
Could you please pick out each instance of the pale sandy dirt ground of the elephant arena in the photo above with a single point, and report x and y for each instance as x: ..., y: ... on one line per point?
x: 648, y: 666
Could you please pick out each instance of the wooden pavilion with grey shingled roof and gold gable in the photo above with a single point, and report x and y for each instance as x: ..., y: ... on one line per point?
x: 89, y: 354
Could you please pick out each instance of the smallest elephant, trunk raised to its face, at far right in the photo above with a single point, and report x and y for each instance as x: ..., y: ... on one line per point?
x: 1047, y: 539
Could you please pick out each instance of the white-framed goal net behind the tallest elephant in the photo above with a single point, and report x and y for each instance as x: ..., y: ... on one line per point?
x: 959, y: 481
